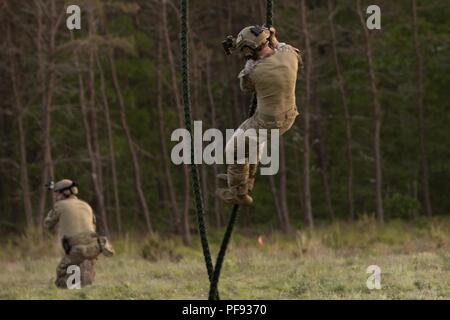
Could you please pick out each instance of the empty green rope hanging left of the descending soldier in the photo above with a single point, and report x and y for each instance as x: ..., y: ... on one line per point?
x: 188, y: 124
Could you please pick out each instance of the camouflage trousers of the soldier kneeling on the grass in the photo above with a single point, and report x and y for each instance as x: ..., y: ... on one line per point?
x: 84, y: 249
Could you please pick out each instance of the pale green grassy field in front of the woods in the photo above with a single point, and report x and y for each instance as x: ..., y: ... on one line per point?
x: 329, y: 263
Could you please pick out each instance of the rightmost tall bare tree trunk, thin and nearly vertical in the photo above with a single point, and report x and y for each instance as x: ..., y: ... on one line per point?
x: 425, y: 181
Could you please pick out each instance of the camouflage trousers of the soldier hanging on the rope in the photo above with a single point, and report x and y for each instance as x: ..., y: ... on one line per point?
x: 241, y: 177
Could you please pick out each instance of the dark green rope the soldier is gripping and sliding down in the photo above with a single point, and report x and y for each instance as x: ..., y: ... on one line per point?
x: 233, y: 216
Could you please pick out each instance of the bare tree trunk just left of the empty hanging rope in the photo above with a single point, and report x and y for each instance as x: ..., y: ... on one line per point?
x: 186, y: 225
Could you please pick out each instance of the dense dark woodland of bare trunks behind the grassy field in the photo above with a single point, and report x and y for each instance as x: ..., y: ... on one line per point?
x: 98, y: 105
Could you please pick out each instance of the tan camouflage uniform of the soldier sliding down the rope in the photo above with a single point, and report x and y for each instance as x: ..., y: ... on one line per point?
x: 274, y: 79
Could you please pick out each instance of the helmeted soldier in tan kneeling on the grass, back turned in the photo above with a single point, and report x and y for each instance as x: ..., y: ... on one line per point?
x: 77, y: 224
